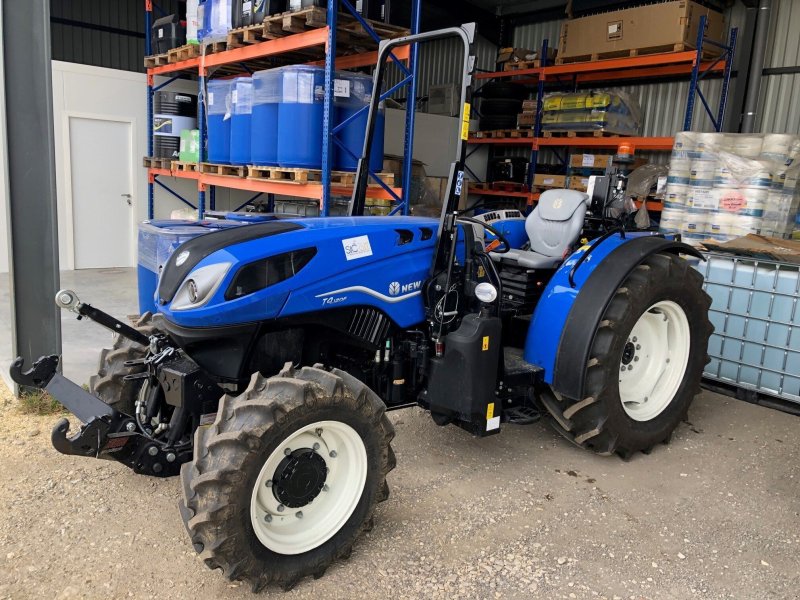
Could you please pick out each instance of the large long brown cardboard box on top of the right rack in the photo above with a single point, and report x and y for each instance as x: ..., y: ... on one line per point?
x: 663, y: 26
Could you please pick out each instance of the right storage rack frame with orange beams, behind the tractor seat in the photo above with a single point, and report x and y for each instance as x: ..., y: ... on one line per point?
x: 635, y: 68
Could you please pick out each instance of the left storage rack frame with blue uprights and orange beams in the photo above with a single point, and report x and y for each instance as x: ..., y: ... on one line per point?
x: 322, y: 36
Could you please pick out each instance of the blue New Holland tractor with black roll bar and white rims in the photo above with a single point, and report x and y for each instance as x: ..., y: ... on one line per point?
x: 265, y: 378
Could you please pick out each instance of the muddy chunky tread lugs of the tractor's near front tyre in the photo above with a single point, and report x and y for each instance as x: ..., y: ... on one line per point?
x: 224, y: 449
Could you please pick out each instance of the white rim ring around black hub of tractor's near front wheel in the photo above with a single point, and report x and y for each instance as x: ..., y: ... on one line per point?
x: 288, y: 530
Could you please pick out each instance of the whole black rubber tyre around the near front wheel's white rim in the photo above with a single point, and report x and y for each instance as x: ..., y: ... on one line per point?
x: 228, y: 457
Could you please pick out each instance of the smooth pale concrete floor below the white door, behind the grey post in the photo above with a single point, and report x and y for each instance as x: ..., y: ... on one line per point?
x: 112, y: 290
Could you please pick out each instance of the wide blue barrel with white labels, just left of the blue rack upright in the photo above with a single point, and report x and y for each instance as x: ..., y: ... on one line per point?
x: 300, y: 117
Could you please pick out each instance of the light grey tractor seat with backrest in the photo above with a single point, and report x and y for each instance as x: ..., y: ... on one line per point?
x: 553, y: 228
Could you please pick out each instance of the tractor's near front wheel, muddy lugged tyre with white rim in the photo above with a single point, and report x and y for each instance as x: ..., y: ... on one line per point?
x: 288, y: 476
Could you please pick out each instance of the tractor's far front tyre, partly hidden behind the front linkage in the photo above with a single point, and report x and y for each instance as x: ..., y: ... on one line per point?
x: 109, y: 383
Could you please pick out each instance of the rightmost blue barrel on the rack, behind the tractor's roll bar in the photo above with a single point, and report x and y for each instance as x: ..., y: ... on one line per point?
x: 352, y: 92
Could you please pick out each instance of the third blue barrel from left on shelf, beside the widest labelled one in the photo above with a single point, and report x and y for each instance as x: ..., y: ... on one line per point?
x: 264, y: 117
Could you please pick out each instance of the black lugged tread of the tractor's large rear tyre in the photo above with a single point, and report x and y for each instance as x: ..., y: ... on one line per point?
x: 585, y: 422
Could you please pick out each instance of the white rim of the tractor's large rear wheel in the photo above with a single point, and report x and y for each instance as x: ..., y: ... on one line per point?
x: 654, y: 360
